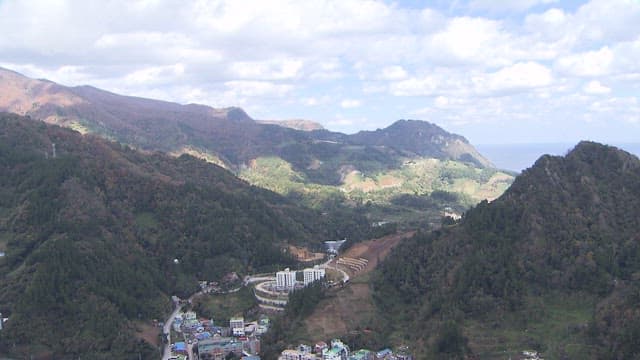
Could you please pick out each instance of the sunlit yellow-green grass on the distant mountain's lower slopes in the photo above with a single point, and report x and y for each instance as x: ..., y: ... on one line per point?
x: 416, y: 177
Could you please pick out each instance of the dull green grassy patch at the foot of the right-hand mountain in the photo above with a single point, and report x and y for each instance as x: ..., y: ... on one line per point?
x: 554, y: 325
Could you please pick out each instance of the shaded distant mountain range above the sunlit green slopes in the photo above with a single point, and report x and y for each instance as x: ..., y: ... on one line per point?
x: 228, y: 133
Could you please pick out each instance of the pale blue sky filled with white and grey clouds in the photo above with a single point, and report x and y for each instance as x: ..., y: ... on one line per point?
x: 494, y: 71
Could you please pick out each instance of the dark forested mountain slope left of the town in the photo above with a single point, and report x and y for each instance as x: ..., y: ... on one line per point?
x: 96, y: 234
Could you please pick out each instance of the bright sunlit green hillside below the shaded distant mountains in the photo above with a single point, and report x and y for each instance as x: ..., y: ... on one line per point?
x: 420, y: 189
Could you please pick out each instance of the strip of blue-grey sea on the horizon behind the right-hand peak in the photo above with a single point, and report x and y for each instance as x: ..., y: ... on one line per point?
x: 517, y: 157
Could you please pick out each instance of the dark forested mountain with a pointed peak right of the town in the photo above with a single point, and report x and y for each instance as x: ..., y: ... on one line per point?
x: 553, y: 264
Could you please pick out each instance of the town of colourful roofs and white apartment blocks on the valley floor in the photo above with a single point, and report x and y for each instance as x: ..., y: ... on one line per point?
x: 200, y: 338
